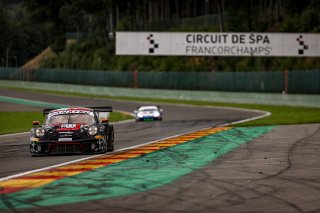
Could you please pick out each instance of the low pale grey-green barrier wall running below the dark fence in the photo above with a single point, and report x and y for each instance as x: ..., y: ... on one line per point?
x: 212, y: 96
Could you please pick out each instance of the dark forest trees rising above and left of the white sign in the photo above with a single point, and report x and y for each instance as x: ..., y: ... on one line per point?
x: 29, y: 26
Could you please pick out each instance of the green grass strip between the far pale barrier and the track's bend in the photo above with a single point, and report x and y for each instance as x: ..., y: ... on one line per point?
x: 280, y: 115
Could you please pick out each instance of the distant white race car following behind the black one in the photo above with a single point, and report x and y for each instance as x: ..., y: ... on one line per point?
x: 148, y: 113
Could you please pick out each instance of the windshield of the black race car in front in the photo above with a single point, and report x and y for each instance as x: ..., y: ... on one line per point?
x: 70, y: 119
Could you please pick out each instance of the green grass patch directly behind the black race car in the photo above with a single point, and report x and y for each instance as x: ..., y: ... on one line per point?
x: 12, y: 122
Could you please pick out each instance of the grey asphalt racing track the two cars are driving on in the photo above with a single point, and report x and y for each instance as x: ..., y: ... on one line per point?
x: 177, y: 120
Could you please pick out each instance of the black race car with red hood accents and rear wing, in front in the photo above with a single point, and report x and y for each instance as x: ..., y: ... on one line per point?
x: 72, y: 130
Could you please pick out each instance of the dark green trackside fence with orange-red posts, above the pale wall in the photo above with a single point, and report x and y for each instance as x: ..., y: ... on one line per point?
x: 292, y: 82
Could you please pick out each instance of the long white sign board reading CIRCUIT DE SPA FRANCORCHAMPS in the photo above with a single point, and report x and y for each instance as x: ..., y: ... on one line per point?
x: 218, y: 44
